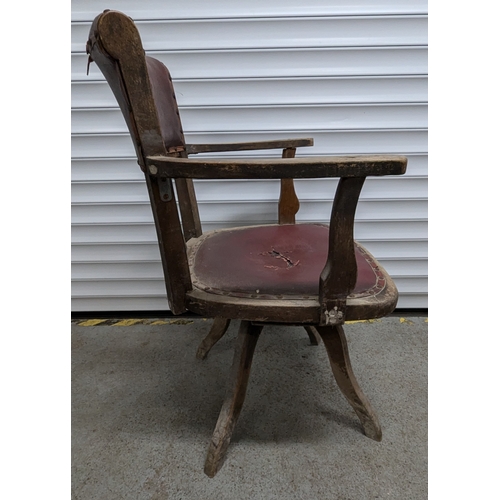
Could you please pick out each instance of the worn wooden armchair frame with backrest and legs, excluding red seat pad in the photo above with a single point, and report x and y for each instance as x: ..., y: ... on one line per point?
x: 144, y: 91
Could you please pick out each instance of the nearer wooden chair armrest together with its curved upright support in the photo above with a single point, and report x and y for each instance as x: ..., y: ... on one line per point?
x: 338, y: 277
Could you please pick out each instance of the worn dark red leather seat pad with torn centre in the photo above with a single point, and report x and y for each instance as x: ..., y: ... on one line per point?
x: 274, y: 261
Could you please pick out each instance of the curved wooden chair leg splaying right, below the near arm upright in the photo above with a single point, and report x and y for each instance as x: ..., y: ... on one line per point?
x: 336, y: 347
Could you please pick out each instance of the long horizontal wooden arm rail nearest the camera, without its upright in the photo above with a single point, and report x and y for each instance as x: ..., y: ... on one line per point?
x: 276, y: 168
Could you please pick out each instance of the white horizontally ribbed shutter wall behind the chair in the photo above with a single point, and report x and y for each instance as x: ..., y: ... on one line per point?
x: 353, y: 75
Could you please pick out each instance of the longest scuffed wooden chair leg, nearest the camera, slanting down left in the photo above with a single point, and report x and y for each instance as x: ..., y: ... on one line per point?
x: 235, y: 395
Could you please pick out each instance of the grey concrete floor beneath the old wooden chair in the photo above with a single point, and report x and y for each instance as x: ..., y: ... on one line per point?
x: 144, y: 408
